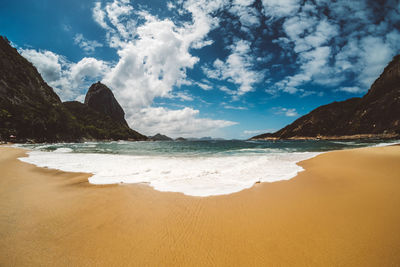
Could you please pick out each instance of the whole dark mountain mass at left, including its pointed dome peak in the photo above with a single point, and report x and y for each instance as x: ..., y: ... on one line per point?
x: 31, y: 111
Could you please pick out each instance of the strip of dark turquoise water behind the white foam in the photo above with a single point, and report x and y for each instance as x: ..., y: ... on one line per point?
x: 204, y: 148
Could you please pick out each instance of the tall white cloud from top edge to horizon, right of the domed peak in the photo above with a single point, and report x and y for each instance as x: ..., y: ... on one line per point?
x: 154, y: 55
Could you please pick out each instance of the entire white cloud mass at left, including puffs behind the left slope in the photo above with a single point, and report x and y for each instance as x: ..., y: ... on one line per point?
x: 154, y: 55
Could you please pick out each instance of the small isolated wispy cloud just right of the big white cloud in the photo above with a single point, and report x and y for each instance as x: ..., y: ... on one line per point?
x: 237, y: 68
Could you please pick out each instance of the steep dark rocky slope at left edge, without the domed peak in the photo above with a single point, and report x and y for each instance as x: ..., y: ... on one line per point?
x: 29, y: 108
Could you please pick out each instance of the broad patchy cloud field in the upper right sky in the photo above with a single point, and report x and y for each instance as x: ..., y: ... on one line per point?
x: 334, y: 41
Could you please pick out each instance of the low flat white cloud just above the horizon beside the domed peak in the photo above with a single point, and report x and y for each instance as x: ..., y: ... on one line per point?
x: 182, y: 122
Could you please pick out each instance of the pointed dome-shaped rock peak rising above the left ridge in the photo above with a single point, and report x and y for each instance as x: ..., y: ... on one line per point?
x: 100, y: 98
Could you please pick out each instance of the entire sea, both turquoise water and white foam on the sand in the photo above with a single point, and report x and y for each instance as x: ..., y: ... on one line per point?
x: 196, y: 168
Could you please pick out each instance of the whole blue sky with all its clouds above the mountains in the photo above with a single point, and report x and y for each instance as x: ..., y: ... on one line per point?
x: 193, y: 68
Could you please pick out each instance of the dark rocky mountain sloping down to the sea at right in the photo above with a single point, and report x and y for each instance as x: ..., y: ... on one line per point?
x: 376, y: 115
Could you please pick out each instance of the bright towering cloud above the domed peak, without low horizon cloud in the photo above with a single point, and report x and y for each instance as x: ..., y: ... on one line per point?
x: 154, y: 58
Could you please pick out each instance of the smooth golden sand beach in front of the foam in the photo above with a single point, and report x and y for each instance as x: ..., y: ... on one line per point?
x: 342, y: 211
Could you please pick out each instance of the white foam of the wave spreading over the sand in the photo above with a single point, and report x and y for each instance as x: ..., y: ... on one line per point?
x: 195, y: 176
